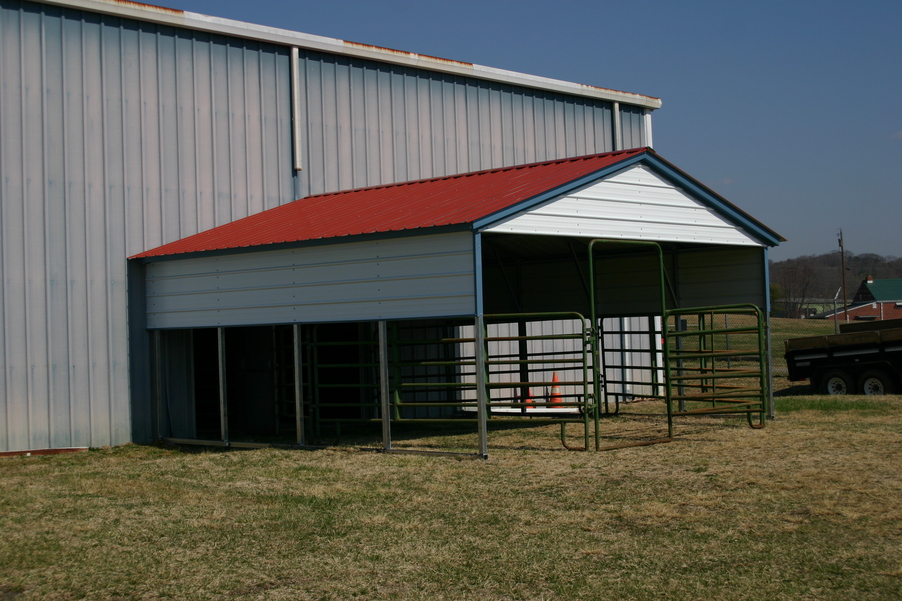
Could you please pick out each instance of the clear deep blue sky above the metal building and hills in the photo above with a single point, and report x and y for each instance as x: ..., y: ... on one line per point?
x: 792, y: 110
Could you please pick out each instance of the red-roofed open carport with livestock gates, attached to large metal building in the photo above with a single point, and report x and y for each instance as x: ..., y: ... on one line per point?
x: 455, y: 298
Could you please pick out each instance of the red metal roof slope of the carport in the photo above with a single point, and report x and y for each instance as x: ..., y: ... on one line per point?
x: 443, y: 201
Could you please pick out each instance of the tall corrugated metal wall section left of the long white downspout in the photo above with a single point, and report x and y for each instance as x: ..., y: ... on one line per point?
x: 115, y: 137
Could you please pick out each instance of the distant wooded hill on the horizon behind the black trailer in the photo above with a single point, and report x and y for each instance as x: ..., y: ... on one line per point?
x: 812, y: 277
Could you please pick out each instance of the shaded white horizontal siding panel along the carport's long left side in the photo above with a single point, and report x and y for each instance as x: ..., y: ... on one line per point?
x: 411, y: 277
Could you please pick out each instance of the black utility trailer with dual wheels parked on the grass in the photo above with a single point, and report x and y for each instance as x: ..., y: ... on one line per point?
x: 865, y: 358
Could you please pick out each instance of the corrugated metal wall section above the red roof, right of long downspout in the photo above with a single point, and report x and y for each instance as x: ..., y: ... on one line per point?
x: 369, y: 123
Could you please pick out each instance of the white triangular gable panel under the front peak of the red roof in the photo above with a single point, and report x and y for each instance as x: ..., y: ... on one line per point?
x: 635, y: 204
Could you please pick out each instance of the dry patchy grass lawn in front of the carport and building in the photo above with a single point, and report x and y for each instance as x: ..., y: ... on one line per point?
x: 809, y: 508
